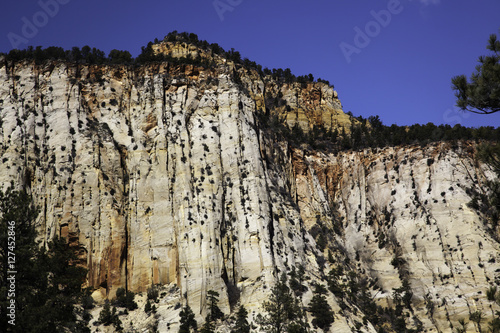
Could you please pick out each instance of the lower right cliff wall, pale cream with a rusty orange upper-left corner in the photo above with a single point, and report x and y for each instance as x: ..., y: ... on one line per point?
x: 404, y: 217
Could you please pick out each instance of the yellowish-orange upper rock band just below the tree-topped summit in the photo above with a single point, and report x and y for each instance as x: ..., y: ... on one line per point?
x: 304, y: 104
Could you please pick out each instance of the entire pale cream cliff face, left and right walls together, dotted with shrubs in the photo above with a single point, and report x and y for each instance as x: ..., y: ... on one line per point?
x: 161, y: 175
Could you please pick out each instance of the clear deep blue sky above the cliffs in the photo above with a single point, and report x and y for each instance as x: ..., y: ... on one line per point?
x: 402, y: 74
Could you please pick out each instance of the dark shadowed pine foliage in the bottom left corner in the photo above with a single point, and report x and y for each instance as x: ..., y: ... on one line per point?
x: 48, y: 282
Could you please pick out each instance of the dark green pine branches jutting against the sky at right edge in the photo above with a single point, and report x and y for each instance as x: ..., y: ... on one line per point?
x: 482, y: 94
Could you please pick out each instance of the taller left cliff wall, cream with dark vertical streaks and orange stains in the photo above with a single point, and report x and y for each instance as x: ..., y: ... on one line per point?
x: 156, y: 173
